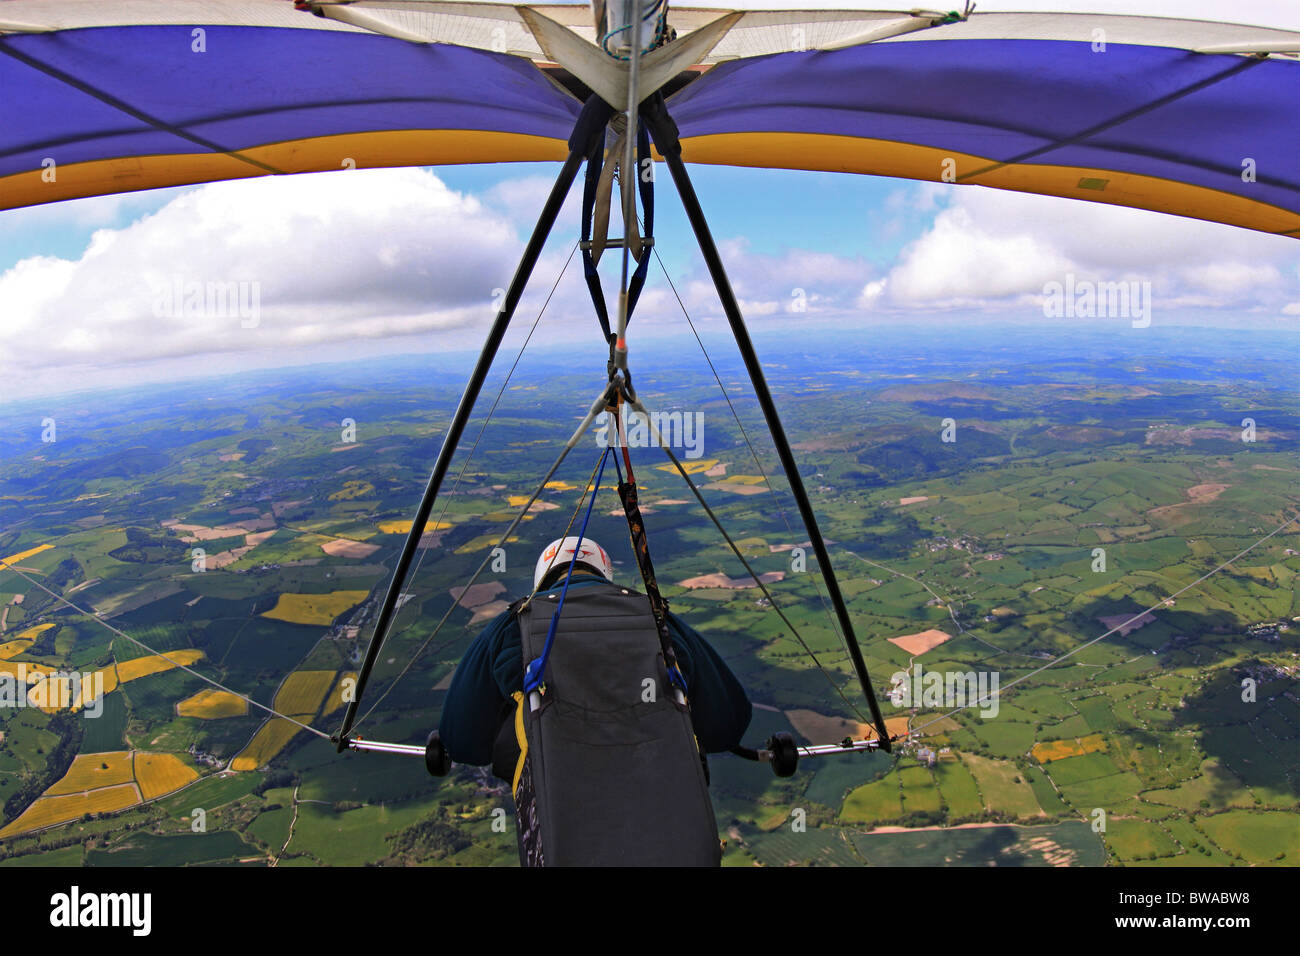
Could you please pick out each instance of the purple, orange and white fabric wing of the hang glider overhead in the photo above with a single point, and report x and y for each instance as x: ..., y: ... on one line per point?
x: 1186, y: 118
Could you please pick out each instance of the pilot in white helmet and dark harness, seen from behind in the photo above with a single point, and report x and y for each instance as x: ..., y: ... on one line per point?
x: 600, y: 746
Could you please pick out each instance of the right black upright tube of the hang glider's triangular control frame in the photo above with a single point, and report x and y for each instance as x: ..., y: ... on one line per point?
x: 665, y: 133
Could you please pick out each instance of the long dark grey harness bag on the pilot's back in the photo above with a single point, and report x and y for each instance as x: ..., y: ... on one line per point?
x: 610, y: 772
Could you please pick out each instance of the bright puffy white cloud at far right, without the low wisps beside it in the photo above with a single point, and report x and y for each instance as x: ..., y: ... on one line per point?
x: 994, y: 252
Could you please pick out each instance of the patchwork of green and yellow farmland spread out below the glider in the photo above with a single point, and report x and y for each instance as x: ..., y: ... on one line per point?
x: 1064, y: 449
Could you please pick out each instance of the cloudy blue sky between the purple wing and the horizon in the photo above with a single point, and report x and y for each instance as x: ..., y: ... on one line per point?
x: 365, y: 263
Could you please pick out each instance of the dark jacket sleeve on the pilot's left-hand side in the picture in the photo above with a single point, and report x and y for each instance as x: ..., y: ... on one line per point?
x: 486, y: 678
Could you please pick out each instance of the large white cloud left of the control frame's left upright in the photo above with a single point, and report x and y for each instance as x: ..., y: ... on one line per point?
x: 326, y: 258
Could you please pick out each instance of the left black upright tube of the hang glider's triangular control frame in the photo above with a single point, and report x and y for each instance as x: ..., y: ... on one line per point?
x: 591, y: 124
